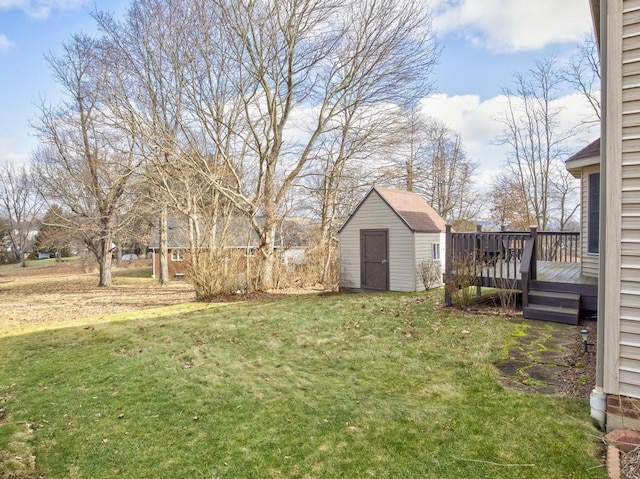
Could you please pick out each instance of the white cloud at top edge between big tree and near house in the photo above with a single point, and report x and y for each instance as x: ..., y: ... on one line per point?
x: 514, y: 25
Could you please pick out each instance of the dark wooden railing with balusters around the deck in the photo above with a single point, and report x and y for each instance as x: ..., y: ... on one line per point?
x: 497, y: 258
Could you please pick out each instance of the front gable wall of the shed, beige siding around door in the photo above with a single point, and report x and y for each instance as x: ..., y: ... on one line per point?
x: 374, y: 213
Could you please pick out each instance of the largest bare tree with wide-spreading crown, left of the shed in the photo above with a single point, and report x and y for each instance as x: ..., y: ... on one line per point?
x: 276, y: 63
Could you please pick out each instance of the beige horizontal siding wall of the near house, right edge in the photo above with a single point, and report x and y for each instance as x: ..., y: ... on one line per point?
x: 623, y: 202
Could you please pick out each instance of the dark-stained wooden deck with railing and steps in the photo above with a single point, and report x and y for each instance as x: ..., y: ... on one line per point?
x: 545, y: 266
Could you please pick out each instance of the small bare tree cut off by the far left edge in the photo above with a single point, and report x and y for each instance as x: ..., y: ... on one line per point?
x: 20, y: 205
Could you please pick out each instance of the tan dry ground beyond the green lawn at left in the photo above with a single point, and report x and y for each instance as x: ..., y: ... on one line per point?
x: 64, y: 291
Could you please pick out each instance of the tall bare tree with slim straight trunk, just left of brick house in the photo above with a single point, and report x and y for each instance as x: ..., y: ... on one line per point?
x: 151, y: 44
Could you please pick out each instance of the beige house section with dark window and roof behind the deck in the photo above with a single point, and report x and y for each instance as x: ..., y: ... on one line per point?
x: 585, y: 166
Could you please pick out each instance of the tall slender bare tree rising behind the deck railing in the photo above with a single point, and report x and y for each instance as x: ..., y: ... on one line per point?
x: 532, y: 129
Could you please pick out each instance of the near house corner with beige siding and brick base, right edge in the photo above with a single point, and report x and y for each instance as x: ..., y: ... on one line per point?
x: 617, y: 25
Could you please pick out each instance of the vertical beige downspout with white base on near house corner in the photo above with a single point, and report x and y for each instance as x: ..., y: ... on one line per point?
x: 598, y: 398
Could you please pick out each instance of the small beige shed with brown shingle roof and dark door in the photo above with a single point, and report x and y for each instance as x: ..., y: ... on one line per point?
x: 385, y: 240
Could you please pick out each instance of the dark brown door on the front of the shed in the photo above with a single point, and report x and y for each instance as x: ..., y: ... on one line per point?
x: 374, y: 259
